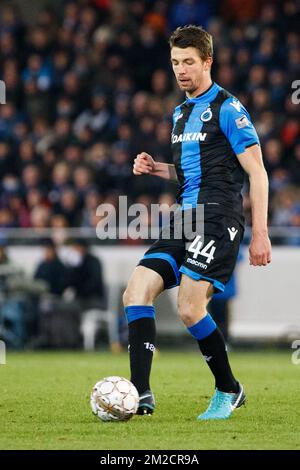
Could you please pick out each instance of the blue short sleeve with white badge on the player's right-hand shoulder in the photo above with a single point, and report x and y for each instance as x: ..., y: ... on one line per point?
x: 236, y: 124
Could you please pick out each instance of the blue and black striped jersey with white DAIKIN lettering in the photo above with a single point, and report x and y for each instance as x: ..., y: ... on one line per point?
x: 208, y: 132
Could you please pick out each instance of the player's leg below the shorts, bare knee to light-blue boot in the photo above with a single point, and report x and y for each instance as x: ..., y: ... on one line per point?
x: 192, y: 302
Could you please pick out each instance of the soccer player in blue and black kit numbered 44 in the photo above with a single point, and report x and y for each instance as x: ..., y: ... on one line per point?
x: 213, y: 143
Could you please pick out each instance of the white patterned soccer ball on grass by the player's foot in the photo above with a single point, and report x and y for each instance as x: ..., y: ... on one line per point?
x: 114, y: 399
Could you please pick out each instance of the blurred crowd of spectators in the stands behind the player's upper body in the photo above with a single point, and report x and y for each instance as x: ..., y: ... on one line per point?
x: 90, y: 86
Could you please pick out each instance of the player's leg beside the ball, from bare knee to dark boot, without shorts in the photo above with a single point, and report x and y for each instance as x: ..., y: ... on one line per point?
x: 143, y: 287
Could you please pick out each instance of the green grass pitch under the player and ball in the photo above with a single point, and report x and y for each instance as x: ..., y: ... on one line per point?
x: 44, y: 403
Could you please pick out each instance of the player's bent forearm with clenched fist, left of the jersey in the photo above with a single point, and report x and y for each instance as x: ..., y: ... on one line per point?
x: 144, y: 164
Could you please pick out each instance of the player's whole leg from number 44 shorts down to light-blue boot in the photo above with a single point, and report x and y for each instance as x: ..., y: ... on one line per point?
x: 211, y: 256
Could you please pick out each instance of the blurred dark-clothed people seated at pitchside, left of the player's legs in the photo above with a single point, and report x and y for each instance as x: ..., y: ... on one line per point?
x: 48, y: 308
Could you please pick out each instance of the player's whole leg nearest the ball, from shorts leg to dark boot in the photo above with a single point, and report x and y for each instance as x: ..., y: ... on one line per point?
x: 157, y: 270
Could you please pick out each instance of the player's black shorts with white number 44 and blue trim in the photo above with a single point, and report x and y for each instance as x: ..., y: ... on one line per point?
x: 209, y: 254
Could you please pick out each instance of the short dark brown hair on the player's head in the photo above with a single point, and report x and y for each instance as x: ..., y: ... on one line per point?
x: 193, y: 36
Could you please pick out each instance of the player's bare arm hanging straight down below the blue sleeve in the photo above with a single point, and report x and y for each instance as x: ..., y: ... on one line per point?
x: 260, y: 246
